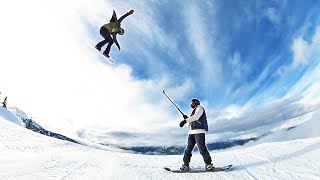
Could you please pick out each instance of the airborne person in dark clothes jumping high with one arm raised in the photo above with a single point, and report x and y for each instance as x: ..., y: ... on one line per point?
x: 112, y: 28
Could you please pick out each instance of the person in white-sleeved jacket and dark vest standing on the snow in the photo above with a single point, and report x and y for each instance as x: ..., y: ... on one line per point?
x: 198, y: 127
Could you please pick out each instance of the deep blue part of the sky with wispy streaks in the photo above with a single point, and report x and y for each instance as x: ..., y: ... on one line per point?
x: 229, y: 50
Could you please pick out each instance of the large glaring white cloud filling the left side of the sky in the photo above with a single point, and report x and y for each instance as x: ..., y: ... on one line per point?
x: 47, y: 66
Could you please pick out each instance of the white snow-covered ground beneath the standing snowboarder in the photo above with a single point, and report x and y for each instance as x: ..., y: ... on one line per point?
x: 25, y: 154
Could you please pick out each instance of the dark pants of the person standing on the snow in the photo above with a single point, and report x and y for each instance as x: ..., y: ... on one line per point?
x: 200, y: 140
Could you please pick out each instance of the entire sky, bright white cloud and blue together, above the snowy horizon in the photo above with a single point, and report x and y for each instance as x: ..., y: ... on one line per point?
x: 251, y: 63
